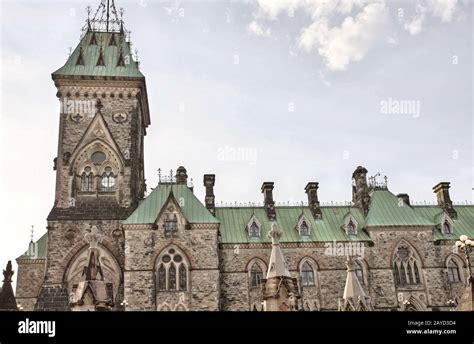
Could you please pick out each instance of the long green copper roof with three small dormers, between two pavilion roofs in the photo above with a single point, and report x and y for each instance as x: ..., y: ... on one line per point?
x: 234, y: 221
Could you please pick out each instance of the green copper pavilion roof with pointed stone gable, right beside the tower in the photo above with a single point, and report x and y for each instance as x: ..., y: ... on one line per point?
x: 149, y: 209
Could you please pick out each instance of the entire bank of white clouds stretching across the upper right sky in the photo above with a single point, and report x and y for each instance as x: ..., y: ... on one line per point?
x: 344, y: 31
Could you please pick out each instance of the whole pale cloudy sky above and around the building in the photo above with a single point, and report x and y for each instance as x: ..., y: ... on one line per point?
x: 252, y: 91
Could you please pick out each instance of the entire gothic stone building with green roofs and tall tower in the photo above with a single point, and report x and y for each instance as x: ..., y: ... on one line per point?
x: 170, y: 251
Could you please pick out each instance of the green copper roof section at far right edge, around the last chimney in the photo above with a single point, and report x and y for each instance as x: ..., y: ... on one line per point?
x: 464, y: 224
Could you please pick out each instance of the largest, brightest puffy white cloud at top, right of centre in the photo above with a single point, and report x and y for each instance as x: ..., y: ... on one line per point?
x: 348, y: 42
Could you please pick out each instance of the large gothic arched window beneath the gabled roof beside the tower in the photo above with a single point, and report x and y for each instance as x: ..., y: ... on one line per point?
x: 172, y: 273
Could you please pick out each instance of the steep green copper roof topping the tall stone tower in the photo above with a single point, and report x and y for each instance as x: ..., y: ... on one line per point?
x: 91, y: 53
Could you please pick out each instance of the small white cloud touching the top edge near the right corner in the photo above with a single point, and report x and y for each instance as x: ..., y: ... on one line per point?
x: 445, y: 10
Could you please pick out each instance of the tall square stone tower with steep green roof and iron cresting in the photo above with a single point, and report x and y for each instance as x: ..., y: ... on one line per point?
x: 99, y: 165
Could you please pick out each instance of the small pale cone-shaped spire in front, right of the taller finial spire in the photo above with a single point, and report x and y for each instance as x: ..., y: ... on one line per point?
x: 354, y: 297
